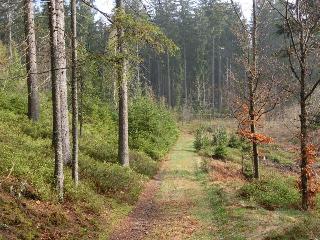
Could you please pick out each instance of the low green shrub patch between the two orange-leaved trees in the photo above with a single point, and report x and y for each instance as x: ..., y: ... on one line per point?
x: 273, y: 192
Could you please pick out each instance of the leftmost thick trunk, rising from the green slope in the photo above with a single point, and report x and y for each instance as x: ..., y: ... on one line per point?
x: 31, y: 62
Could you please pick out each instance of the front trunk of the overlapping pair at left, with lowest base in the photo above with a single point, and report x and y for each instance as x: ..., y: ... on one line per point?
x: 57, y: 135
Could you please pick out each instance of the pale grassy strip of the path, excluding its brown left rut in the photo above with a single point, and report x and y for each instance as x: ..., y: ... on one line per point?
x: 185, y: 209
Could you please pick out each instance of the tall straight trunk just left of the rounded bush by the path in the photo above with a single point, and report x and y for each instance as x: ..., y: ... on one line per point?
x: 123, y: 151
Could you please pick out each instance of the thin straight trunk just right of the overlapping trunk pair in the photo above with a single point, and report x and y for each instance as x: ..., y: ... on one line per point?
x: 75, y: 111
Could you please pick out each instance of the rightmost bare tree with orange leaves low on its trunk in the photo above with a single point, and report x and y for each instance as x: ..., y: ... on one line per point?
x: 301, y: 27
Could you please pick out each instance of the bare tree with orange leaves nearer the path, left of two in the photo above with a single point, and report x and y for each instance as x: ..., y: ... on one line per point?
x: 261, y: 93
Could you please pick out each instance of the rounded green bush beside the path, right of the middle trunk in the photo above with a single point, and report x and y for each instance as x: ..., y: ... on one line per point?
x: 152, y: 128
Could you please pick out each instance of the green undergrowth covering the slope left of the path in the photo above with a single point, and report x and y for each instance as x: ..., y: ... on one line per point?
x: 26, y: 149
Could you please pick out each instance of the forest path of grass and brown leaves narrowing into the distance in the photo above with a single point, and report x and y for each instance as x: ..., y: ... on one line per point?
x: 173, y: 205
